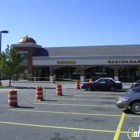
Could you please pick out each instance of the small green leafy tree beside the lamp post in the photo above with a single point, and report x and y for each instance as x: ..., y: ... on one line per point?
x: 10, y: 62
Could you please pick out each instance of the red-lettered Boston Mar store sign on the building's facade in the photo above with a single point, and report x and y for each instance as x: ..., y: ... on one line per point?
x: 123, y: 61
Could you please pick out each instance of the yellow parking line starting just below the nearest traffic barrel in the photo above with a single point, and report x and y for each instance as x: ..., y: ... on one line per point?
x: 66, y: 113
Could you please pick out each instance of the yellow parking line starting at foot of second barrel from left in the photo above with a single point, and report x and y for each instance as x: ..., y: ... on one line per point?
x: 76, y: 105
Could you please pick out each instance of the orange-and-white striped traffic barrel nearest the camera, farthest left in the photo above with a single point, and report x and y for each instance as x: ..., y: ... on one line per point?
x: 12, y: 98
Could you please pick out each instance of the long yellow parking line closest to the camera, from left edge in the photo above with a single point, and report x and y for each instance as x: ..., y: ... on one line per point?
x: 57, y: 127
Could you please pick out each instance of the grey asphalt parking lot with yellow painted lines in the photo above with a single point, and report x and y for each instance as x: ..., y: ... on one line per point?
x: 77, y: 115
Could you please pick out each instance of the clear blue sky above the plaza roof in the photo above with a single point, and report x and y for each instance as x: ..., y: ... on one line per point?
x: 62, y: 23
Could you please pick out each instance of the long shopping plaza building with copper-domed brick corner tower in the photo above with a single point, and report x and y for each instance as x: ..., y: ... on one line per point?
x: 121, y: 62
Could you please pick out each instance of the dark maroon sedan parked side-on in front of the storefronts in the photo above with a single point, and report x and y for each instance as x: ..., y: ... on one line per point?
x: 103, y: 84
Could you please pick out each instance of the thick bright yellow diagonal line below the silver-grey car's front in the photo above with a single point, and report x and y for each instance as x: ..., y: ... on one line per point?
x: 118, y: 130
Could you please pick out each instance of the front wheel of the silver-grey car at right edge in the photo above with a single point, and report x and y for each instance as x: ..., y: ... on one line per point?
x: 135, y: 108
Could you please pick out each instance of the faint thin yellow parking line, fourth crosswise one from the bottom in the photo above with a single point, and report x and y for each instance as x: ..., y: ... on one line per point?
x: 83, y: 99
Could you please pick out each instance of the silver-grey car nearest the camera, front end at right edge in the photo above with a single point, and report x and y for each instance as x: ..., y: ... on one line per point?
x: 131, y: 101
